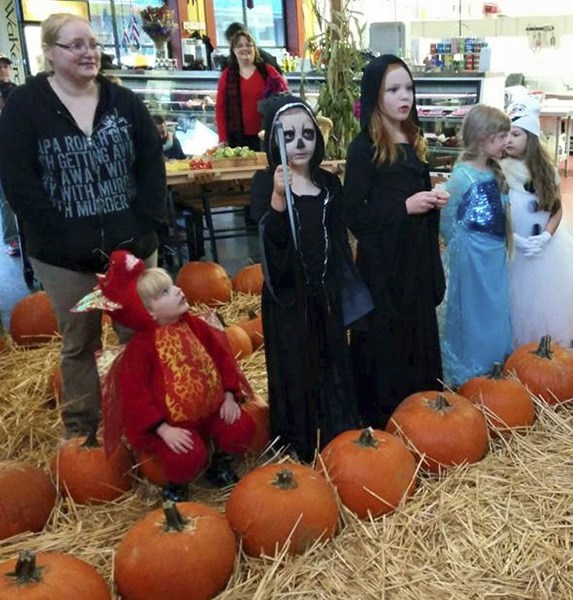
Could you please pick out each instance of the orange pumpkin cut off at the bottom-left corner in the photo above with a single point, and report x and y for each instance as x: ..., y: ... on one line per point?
x: 50, y: 576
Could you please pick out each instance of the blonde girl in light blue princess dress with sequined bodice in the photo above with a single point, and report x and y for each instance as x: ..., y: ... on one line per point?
x: 475, y: 225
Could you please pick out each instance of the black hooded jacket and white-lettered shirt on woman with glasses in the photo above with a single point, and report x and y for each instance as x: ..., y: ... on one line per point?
x: 81, y: 197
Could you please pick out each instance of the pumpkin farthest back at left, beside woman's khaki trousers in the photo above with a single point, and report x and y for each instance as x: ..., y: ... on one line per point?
x: 33, y: 321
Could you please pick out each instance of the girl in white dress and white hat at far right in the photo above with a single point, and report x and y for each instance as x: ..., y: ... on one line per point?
x: 540, y: 274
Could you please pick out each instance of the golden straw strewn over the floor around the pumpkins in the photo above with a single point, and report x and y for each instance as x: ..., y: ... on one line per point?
x: 501, y: 529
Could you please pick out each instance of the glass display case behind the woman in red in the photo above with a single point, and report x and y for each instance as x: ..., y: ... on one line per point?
x: 187, y: 100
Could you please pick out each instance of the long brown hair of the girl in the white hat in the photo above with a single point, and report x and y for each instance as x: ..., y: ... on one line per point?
x: 542, y: 173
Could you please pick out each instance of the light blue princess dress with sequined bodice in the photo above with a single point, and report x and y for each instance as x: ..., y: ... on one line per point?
x: 476, y: 328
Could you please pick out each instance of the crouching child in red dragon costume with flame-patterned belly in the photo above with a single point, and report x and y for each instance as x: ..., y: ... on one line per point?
x: 178, y: 380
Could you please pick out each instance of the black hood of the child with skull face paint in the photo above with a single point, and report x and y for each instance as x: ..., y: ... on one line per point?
x: 271, y: 109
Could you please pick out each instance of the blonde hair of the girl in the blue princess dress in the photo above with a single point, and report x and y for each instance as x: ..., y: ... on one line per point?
x: 481, y: 122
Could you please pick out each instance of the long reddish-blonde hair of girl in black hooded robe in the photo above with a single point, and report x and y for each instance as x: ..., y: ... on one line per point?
x: 384, y: 147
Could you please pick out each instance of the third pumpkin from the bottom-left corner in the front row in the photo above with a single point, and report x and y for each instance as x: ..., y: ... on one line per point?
x: 278, y: 501
